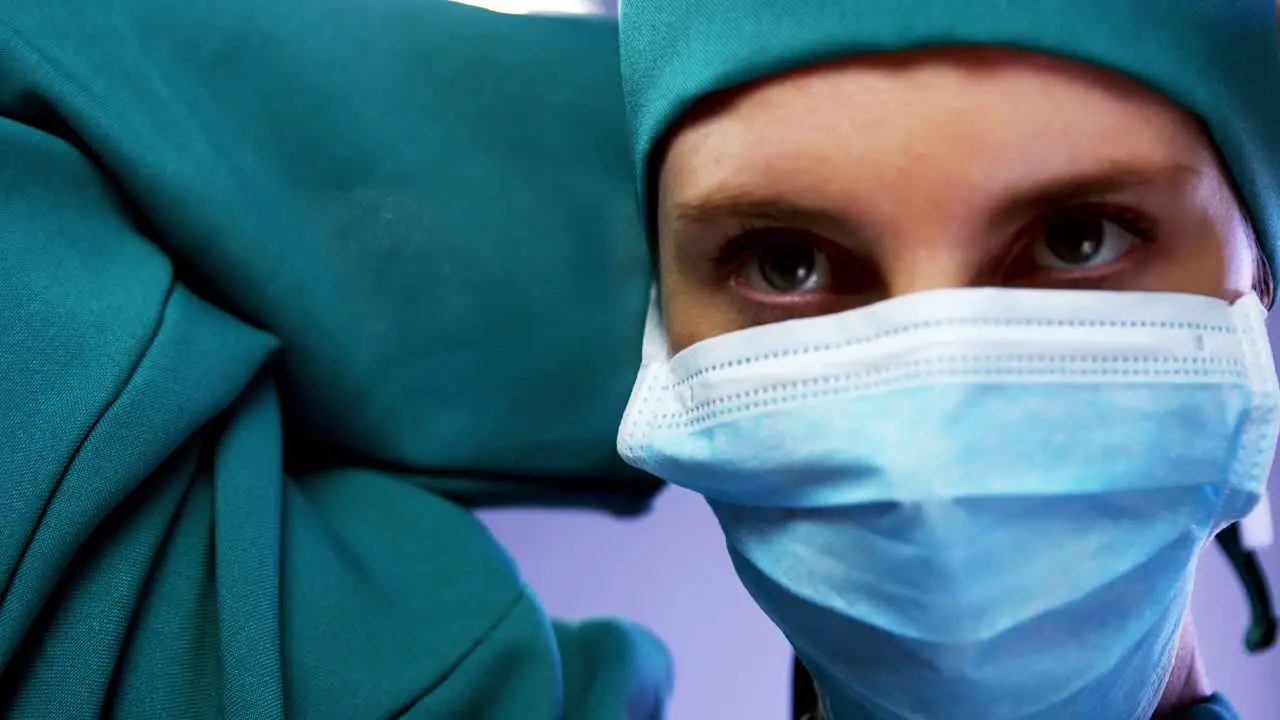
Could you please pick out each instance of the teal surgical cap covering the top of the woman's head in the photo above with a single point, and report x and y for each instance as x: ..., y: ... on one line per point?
x: 1218, y: 58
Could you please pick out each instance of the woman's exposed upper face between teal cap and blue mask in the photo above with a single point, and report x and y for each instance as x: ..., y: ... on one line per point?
x: 851, y: 184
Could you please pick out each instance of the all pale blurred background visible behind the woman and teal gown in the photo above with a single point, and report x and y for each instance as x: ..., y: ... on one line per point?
x: 670, y: 572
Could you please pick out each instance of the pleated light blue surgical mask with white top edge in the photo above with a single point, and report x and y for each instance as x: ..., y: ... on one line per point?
x: 972, y: 503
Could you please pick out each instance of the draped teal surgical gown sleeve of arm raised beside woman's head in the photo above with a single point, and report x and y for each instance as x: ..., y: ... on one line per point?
x: 285, y: 290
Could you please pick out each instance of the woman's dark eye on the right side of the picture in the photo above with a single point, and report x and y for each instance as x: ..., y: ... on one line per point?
x: 1084, y: 240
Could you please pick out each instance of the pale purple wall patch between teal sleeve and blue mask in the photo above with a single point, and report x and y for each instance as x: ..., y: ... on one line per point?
x: 670, y: 572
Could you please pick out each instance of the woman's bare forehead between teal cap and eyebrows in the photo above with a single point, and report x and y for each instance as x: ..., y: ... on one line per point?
x: 976, y: 117
